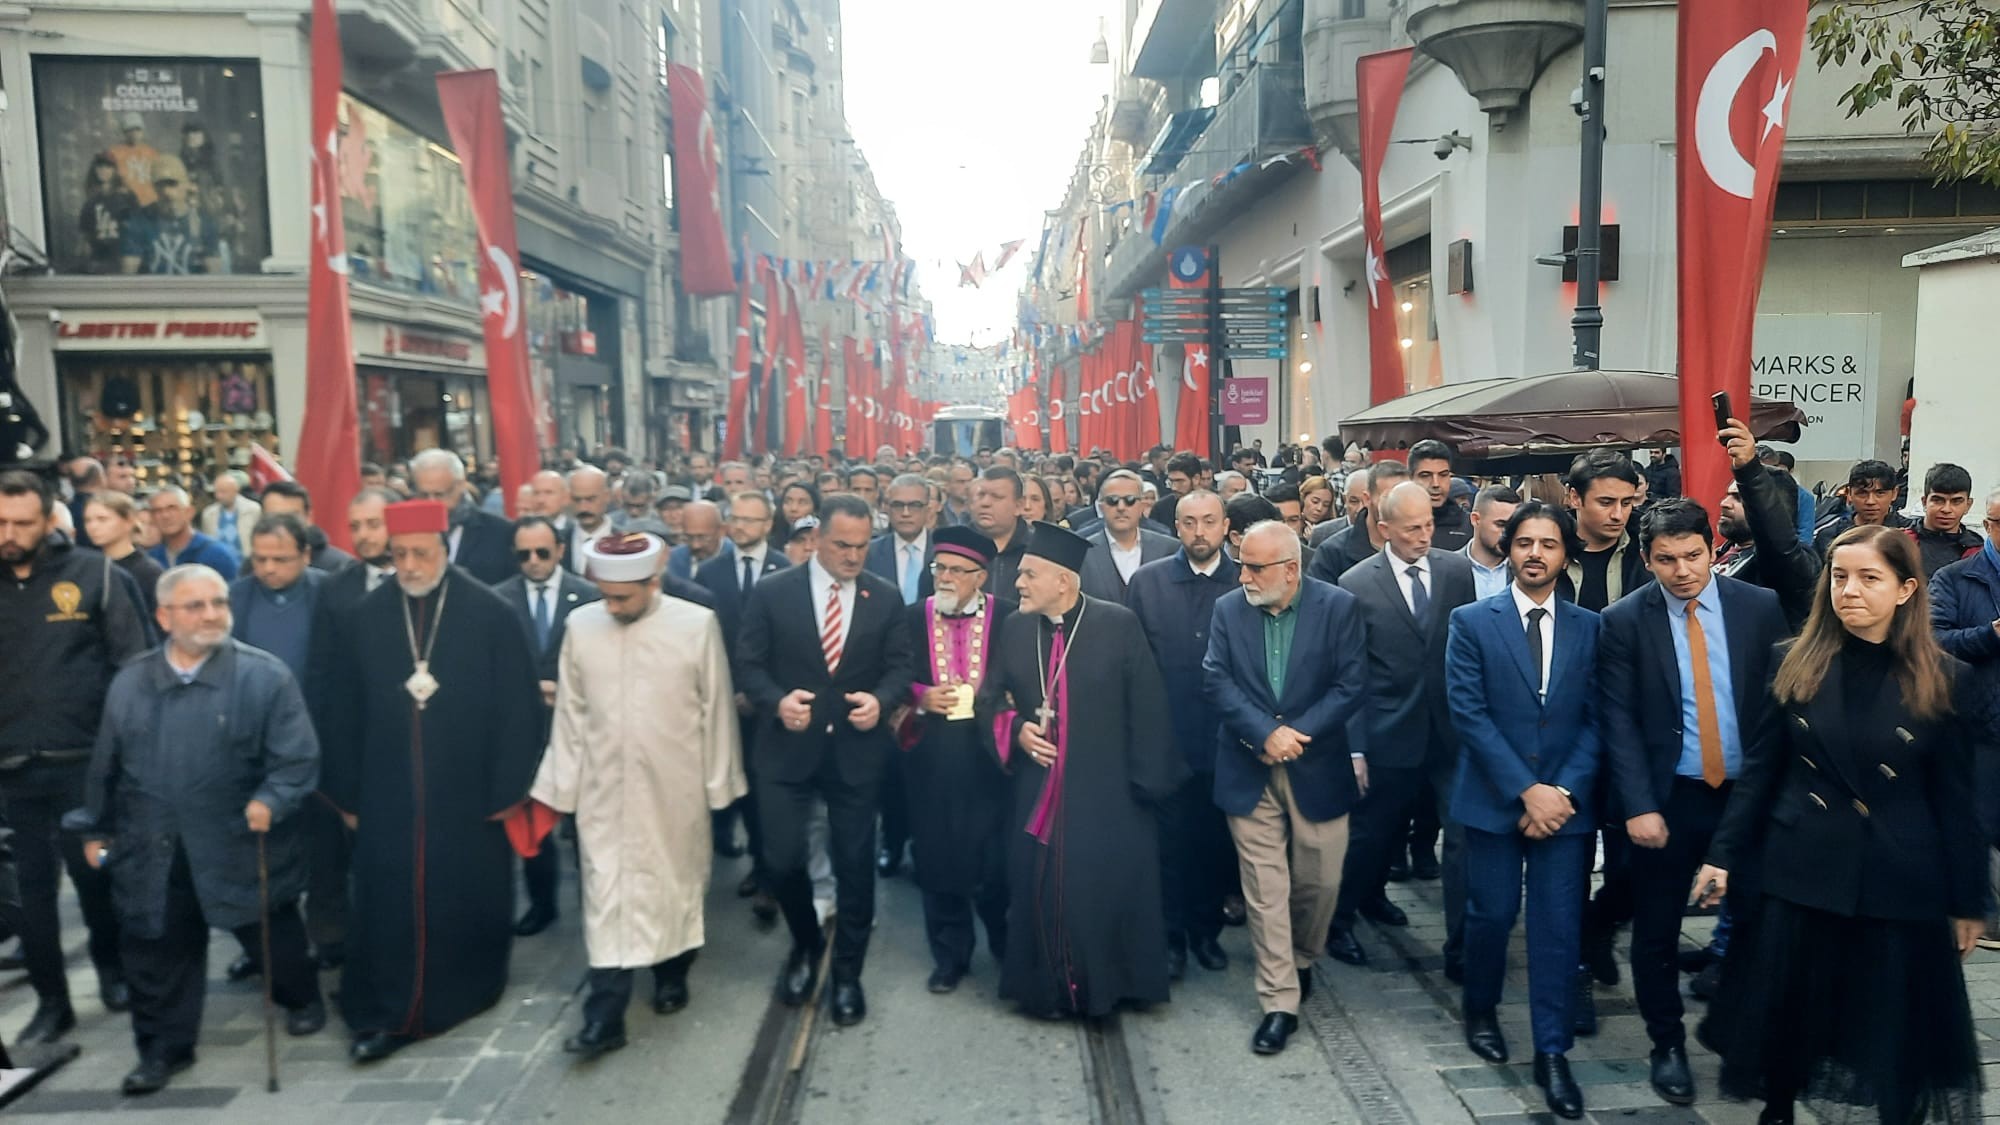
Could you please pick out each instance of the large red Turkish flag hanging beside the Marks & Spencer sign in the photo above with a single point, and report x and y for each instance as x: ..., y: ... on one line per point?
x: 1739, y: 61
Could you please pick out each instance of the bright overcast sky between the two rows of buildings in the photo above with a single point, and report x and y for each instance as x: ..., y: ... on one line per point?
x: 973, y: 117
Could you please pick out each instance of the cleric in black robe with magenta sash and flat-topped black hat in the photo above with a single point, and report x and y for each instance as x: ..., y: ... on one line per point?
x: 1091, y: 756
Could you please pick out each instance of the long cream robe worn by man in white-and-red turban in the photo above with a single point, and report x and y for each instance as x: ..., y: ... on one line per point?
x: 645, y: 746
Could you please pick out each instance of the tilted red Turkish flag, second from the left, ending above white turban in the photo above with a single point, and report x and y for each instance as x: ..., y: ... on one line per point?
x: 471, y: 103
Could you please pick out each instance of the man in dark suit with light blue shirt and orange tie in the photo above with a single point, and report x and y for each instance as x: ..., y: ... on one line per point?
x: 1687, y: 660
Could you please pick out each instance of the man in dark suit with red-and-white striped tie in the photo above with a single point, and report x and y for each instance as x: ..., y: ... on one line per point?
x: 825, y: 660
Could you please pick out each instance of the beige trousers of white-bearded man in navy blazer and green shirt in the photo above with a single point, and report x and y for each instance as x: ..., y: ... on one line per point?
x: 1291, y: 870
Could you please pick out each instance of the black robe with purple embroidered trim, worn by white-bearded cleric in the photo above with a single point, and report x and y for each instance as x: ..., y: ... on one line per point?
x: 957, y: 792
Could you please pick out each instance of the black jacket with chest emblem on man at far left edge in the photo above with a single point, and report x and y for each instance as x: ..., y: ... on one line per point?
x: 67, y: 628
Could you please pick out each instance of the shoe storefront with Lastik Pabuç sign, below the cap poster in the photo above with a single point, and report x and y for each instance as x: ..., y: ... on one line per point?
x: 179, y: 393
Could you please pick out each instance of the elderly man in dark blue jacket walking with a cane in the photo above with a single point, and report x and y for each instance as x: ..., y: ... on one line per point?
x: 203, y: 760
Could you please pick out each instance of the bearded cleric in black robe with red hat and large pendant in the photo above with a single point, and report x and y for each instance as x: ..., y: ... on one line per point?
x: 435, y: 738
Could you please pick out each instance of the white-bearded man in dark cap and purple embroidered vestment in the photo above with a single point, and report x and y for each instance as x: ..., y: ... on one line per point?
x: 955, y: 788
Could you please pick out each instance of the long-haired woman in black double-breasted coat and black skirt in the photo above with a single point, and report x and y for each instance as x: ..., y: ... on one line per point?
x: 1861, y: 866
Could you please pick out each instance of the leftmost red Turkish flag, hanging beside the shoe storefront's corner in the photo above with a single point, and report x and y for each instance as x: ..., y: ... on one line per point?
x: 331, y: 437
